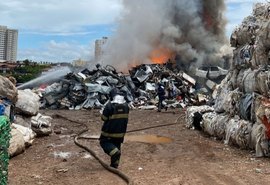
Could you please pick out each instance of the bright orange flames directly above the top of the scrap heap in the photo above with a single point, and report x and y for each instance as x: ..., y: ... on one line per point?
x: 160, y: 55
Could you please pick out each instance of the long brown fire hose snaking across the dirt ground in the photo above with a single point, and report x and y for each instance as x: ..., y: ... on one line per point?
x: 117, y: 172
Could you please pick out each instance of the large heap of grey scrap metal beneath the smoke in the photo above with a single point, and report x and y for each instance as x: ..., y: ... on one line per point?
x: 90, y: 89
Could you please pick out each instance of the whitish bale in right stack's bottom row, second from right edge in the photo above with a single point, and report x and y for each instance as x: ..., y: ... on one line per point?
x: 238, y: 133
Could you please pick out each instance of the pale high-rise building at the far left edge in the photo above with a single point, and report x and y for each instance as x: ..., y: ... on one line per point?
x: 8, y: 44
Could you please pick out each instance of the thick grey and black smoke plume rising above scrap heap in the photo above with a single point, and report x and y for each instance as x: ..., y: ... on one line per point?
x: 191, y: 31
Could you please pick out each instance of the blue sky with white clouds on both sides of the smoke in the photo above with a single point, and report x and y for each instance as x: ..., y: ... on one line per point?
x: 65, y: 30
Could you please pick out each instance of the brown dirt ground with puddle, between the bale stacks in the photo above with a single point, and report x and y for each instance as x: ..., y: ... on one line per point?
x: 191, y: 158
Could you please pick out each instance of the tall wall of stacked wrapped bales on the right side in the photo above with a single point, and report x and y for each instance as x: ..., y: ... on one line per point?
x: 241, y: 114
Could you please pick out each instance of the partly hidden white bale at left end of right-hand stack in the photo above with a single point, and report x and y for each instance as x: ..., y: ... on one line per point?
x: 193, y: 109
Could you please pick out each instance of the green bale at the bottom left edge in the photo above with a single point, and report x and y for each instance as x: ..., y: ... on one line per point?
x: 4, y: 145
